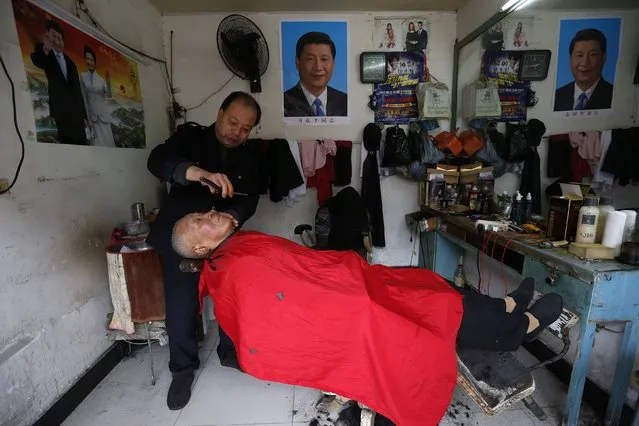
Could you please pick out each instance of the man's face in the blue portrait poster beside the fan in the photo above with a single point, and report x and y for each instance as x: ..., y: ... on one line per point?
x: 315, y: 66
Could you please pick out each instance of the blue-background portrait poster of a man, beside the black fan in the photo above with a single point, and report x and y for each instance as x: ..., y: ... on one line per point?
x: 314, y: 72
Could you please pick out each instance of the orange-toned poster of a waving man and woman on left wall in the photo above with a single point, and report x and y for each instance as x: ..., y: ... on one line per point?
x: 83, y: 92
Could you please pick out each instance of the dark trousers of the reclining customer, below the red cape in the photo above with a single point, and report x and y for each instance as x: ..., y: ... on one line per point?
x: 486, y: 325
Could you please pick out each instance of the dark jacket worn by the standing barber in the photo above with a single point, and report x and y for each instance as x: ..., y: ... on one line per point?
x: 193, y: 144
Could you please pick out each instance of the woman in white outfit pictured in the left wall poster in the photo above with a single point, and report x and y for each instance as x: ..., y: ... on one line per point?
x: 96, y: 93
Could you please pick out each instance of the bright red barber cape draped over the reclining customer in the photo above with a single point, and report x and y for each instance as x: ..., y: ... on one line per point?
x: 382, y: 336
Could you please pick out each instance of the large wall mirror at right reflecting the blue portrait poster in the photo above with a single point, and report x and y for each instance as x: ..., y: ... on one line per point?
x: 569, y: 64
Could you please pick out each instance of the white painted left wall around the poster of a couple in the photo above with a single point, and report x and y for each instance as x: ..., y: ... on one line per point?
x: 54, y: 293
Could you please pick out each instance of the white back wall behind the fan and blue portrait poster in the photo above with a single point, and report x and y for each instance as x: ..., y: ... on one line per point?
x: 199, y: 70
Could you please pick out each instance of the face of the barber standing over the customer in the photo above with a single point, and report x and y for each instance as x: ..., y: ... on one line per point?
x: 234, y: 125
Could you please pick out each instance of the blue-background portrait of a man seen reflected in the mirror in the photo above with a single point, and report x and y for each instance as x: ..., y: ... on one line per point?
x: 586, y: 66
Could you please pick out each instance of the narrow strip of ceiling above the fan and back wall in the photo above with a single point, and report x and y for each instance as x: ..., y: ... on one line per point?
x: 168, y: 7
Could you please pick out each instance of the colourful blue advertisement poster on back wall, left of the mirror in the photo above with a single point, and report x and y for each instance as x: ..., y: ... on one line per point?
x: 396, y: 99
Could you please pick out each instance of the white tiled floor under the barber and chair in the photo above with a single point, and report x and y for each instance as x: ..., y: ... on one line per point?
x: 225, y: 397
